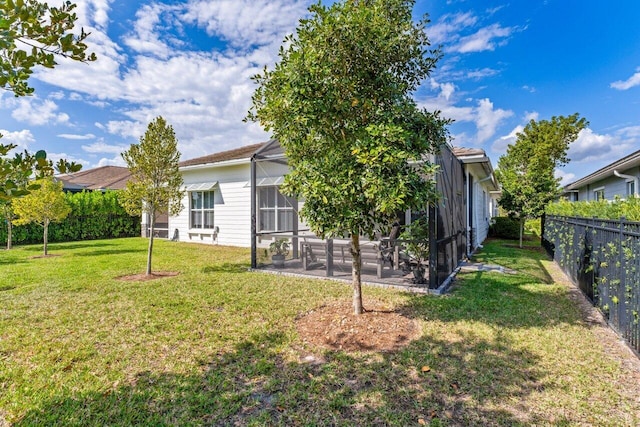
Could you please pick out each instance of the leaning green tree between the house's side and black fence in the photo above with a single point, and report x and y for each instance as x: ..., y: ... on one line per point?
x: 527, y: 171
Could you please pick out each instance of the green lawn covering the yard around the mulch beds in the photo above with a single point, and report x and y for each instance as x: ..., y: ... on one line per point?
x: 217, y: 345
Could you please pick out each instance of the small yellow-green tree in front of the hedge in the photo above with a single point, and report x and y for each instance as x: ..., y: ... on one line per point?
x: 43, y: 206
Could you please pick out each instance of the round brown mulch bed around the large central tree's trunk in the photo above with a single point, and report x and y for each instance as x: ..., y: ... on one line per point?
x: 334, y: 326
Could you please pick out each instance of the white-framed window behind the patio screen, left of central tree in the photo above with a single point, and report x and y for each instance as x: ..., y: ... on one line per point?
x: 275, y: 210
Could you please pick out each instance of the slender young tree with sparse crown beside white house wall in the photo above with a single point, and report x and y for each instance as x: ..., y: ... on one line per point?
x: 155, y: 182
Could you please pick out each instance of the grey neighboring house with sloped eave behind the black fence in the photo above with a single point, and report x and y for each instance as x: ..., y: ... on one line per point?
x: 619, y: 178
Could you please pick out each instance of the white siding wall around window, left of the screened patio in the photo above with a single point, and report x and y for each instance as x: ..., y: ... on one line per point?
x: 232, y: 207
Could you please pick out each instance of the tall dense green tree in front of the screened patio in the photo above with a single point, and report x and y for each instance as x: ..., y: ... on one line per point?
x: 339, y: 101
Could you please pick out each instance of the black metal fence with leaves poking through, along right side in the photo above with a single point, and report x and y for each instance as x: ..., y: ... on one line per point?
x: 603, y: 258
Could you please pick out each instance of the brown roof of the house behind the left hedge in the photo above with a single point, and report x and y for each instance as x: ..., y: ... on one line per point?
x: 101, y: 178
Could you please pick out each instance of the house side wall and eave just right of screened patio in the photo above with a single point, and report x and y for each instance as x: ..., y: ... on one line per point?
x: 481, y: 189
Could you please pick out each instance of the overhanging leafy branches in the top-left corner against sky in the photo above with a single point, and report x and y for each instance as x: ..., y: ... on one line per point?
x: 34, y: 33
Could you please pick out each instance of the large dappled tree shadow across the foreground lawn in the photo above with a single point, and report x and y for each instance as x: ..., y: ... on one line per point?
x: 255, y: 384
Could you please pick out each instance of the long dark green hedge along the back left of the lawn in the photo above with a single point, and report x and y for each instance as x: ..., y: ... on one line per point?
x: 94, y: 215
